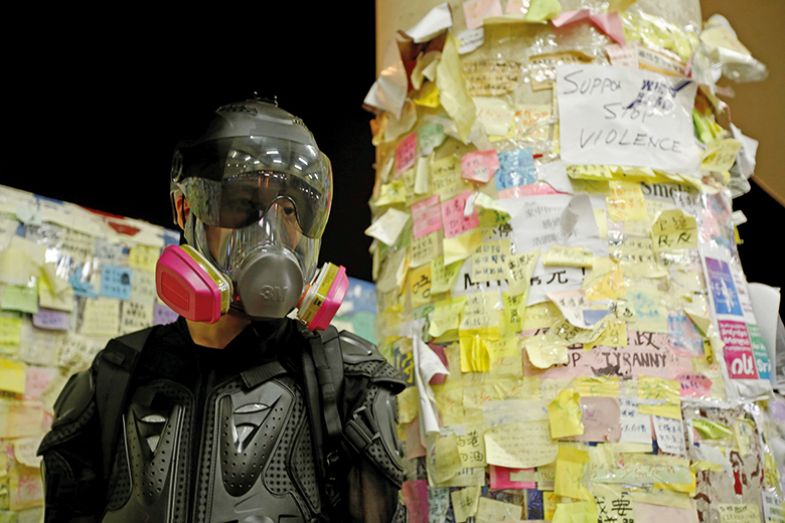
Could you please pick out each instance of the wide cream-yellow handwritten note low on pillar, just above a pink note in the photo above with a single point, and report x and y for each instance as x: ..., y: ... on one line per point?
x: 520, y: 445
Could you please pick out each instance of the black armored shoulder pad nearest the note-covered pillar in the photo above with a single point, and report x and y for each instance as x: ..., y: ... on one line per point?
x: 361, y: 357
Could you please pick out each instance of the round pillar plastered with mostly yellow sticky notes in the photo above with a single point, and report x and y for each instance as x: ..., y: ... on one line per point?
x: 588, y: 347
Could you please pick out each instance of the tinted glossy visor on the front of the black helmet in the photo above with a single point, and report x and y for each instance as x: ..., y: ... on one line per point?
x: 234, y: 182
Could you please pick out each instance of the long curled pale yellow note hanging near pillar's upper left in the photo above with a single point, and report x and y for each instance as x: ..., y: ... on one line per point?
x: 454, y: 96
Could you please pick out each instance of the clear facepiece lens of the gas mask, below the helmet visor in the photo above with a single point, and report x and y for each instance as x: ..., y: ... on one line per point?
x: 230, y: 248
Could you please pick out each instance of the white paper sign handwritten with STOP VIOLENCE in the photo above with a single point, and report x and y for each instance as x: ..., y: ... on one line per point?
x: 623, y: 116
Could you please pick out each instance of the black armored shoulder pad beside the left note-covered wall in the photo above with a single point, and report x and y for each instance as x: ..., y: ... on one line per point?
x: 73, y: 410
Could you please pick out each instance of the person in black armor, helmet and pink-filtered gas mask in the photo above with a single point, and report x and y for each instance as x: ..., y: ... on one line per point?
x: 237, y: 412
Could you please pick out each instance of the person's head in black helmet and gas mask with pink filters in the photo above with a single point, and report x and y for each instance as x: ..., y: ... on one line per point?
x: 259, y: 194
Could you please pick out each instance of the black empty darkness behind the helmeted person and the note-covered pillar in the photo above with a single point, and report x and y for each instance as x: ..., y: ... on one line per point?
x: 95, y: 108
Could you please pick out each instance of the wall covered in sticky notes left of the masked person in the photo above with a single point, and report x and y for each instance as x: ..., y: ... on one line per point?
x: 70, y: 279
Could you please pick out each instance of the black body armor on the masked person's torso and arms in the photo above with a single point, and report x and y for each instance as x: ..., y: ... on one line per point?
x: 231, y: 435
